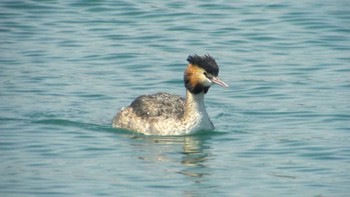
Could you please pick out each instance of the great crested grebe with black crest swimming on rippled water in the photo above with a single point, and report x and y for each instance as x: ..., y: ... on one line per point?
x: 167, y: 114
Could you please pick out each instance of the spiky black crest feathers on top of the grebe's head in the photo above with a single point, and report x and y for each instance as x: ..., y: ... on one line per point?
x: 206, y: 62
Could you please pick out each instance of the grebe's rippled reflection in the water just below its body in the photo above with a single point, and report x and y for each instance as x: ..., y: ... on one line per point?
x: 194, y: 151
